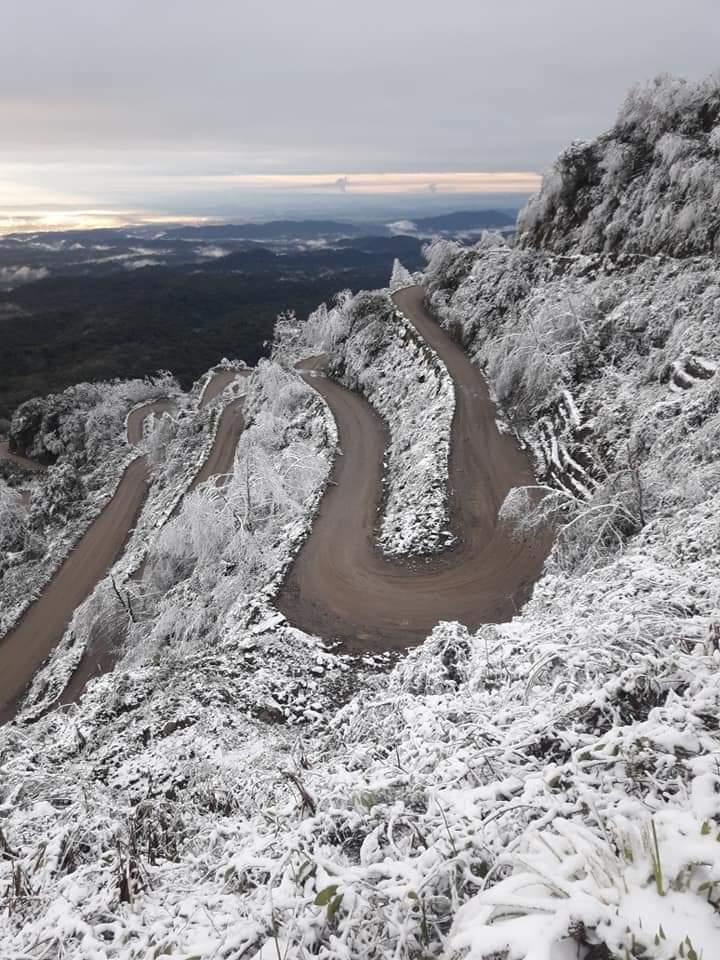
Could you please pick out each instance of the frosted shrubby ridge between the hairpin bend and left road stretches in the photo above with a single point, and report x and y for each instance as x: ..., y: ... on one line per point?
x: 211, y: 560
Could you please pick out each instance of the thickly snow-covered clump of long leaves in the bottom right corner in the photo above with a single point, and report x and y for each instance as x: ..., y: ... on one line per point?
x: 639, y: 888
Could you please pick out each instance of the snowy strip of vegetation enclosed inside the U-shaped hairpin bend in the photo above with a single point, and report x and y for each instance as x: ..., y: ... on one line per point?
x: 373, y: 349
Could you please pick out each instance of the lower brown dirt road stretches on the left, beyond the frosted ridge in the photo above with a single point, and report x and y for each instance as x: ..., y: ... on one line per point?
x: 25, y: 648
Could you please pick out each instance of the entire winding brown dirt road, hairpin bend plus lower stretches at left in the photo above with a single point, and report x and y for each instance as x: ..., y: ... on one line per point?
x: 340, y: 586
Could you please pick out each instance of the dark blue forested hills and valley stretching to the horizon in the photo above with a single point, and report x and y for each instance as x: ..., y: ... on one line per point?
x: 91, y: 304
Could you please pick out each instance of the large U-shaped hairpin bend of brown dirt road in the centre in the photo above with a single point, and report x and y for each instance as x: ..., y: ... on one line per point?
x: 341, y: 587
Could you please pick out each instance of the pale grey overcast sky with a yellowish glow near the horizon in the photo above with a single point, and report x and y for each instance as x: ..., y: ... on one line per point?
x: 131, y: 101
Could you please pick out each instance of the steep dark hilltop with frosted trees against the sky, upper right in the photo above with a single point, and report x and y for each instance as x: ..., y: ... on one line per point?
x: 650, y: 185
